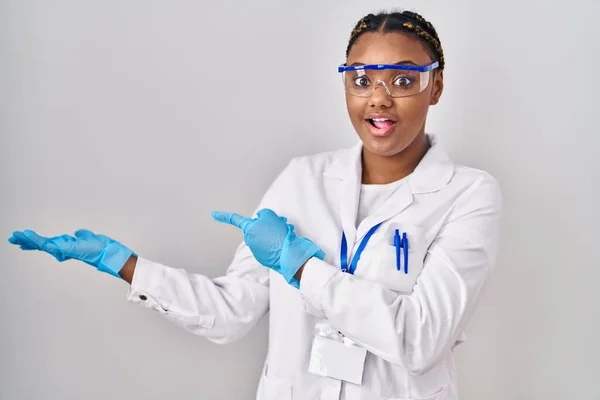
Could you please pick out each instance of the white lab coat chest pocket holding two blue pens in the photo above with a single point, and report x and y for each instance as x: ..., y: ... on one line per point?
x: 384, y: 259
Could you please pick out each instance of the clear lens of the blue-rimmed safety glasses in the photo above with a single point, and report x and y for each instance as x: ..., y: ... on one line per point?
x: 400, y: 83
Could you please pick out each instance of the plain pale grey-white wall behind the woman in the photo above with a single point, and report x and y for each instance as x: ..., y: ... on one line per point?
x: 137, y: 118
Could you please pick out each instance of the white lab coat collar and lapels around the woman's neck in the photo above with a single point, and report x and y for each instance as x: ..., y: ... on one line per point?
x: 432, y: 174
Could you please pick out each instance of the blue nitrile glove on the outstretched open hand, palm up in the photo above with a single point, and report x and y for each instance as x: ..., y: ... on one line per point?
x: 99, y: 251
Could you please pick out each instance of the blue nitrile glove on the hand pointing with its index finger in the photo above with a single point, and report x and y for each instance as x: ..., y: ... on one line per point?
x: 273, y: 242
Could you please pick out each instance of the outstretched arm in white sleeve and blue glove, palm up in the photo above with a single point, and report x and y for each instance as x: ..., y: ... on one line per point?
x: 221, y: 309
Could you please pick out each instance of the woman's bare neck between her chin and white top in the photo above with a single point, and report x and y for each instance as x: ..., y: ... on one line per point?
x: 379, y: 170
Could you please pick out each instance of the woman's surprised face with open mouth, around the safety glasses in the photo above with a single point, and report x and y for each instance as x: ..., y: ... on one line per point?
x: 408, y: 114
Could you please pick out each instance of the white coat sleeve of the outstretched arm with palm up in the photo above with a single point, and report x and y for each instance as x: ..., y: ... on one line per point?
x: 222, y: 309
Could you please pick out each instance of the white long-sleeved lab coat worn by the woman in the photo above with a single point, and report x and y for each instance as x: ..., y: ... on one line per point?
x: 409, y: 324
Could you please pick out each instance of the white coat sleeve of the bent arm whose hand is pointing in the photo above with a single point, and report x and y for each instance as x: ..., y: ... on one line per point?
x: 418, y: 329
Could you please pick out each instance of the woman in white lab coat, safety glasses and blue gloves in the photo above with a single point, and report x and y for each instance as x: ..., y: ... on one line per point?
x: 370, y: 259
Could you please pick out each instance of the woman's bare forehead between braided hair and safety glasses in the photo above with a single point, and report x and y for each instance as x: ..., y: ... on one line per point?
x: 388, y: 48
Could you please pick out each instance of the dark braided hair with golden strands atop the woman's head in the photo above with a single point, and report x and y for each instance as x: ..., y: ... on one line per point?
x: 404, y: 22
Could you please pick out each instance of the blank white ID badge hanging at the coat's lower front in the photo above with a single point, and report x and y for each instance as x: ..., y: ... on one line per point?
x: 336, y: 357
